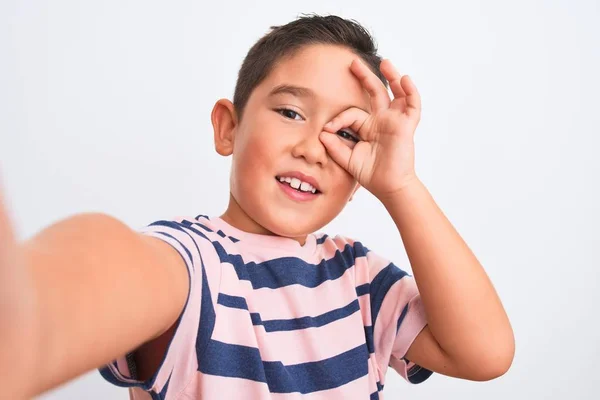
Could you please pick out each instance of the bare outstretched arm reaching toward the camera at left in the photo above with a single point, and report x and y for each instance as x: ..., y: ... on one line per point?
x: 79, y: 294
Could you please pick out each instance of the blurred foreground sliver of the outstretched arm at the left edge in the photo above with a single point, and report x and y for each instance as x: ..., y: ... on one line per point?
x: 17, y: 316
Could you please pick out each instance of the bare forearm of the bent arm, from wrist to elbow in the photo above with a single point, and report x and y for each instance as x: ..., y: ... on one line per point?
x: 464, y: 313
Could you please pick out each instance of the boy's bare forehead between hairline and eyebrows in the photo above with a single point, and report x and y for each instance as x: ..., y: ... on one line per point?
x: 325, y: 70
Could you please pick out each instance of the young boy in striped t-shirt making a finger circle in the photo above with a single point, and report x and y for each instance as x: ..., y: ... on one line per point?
x: 252, y: 304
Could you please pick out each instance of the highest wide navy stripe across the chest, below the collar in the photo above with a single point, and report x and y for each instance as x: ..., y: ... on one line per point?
x: 287, y: 271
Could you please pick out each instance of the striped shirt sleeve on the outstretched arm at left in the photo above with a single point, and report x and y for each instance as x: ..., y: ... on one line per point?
x: 180, y: 360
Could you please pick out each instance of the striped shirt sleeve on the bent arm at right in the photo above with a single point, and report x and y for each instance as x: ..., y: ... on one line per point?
x: 397, y: 315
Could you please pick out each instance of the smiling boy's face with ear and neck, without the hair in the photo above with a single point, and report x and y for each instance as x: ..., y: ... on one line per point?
x: 279, y: 137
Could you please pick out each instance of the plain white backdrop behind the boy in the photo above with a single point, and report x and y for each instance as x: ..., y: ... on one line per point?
x: 104, y: 106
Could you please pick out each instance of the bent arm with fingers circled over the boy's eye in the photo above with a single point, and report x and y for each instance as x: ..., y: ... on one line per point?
x: 468, y: 334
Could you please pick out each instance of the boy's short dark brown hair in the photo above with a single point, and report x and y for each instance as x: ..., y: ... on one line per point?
x: 283, y: 41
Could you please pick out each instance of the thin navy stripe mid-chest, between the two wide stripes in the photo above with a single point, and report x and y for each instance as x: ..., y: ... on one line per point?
x: 277, y: 325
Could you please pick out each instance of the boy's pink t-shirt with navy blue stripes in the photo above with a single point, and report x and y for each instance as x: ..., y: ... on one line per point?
x: 269, y: 318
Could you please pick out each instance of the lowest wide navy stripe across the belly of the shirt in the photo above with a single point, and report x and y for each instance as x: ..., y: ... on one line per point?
x: 245, y: 362
